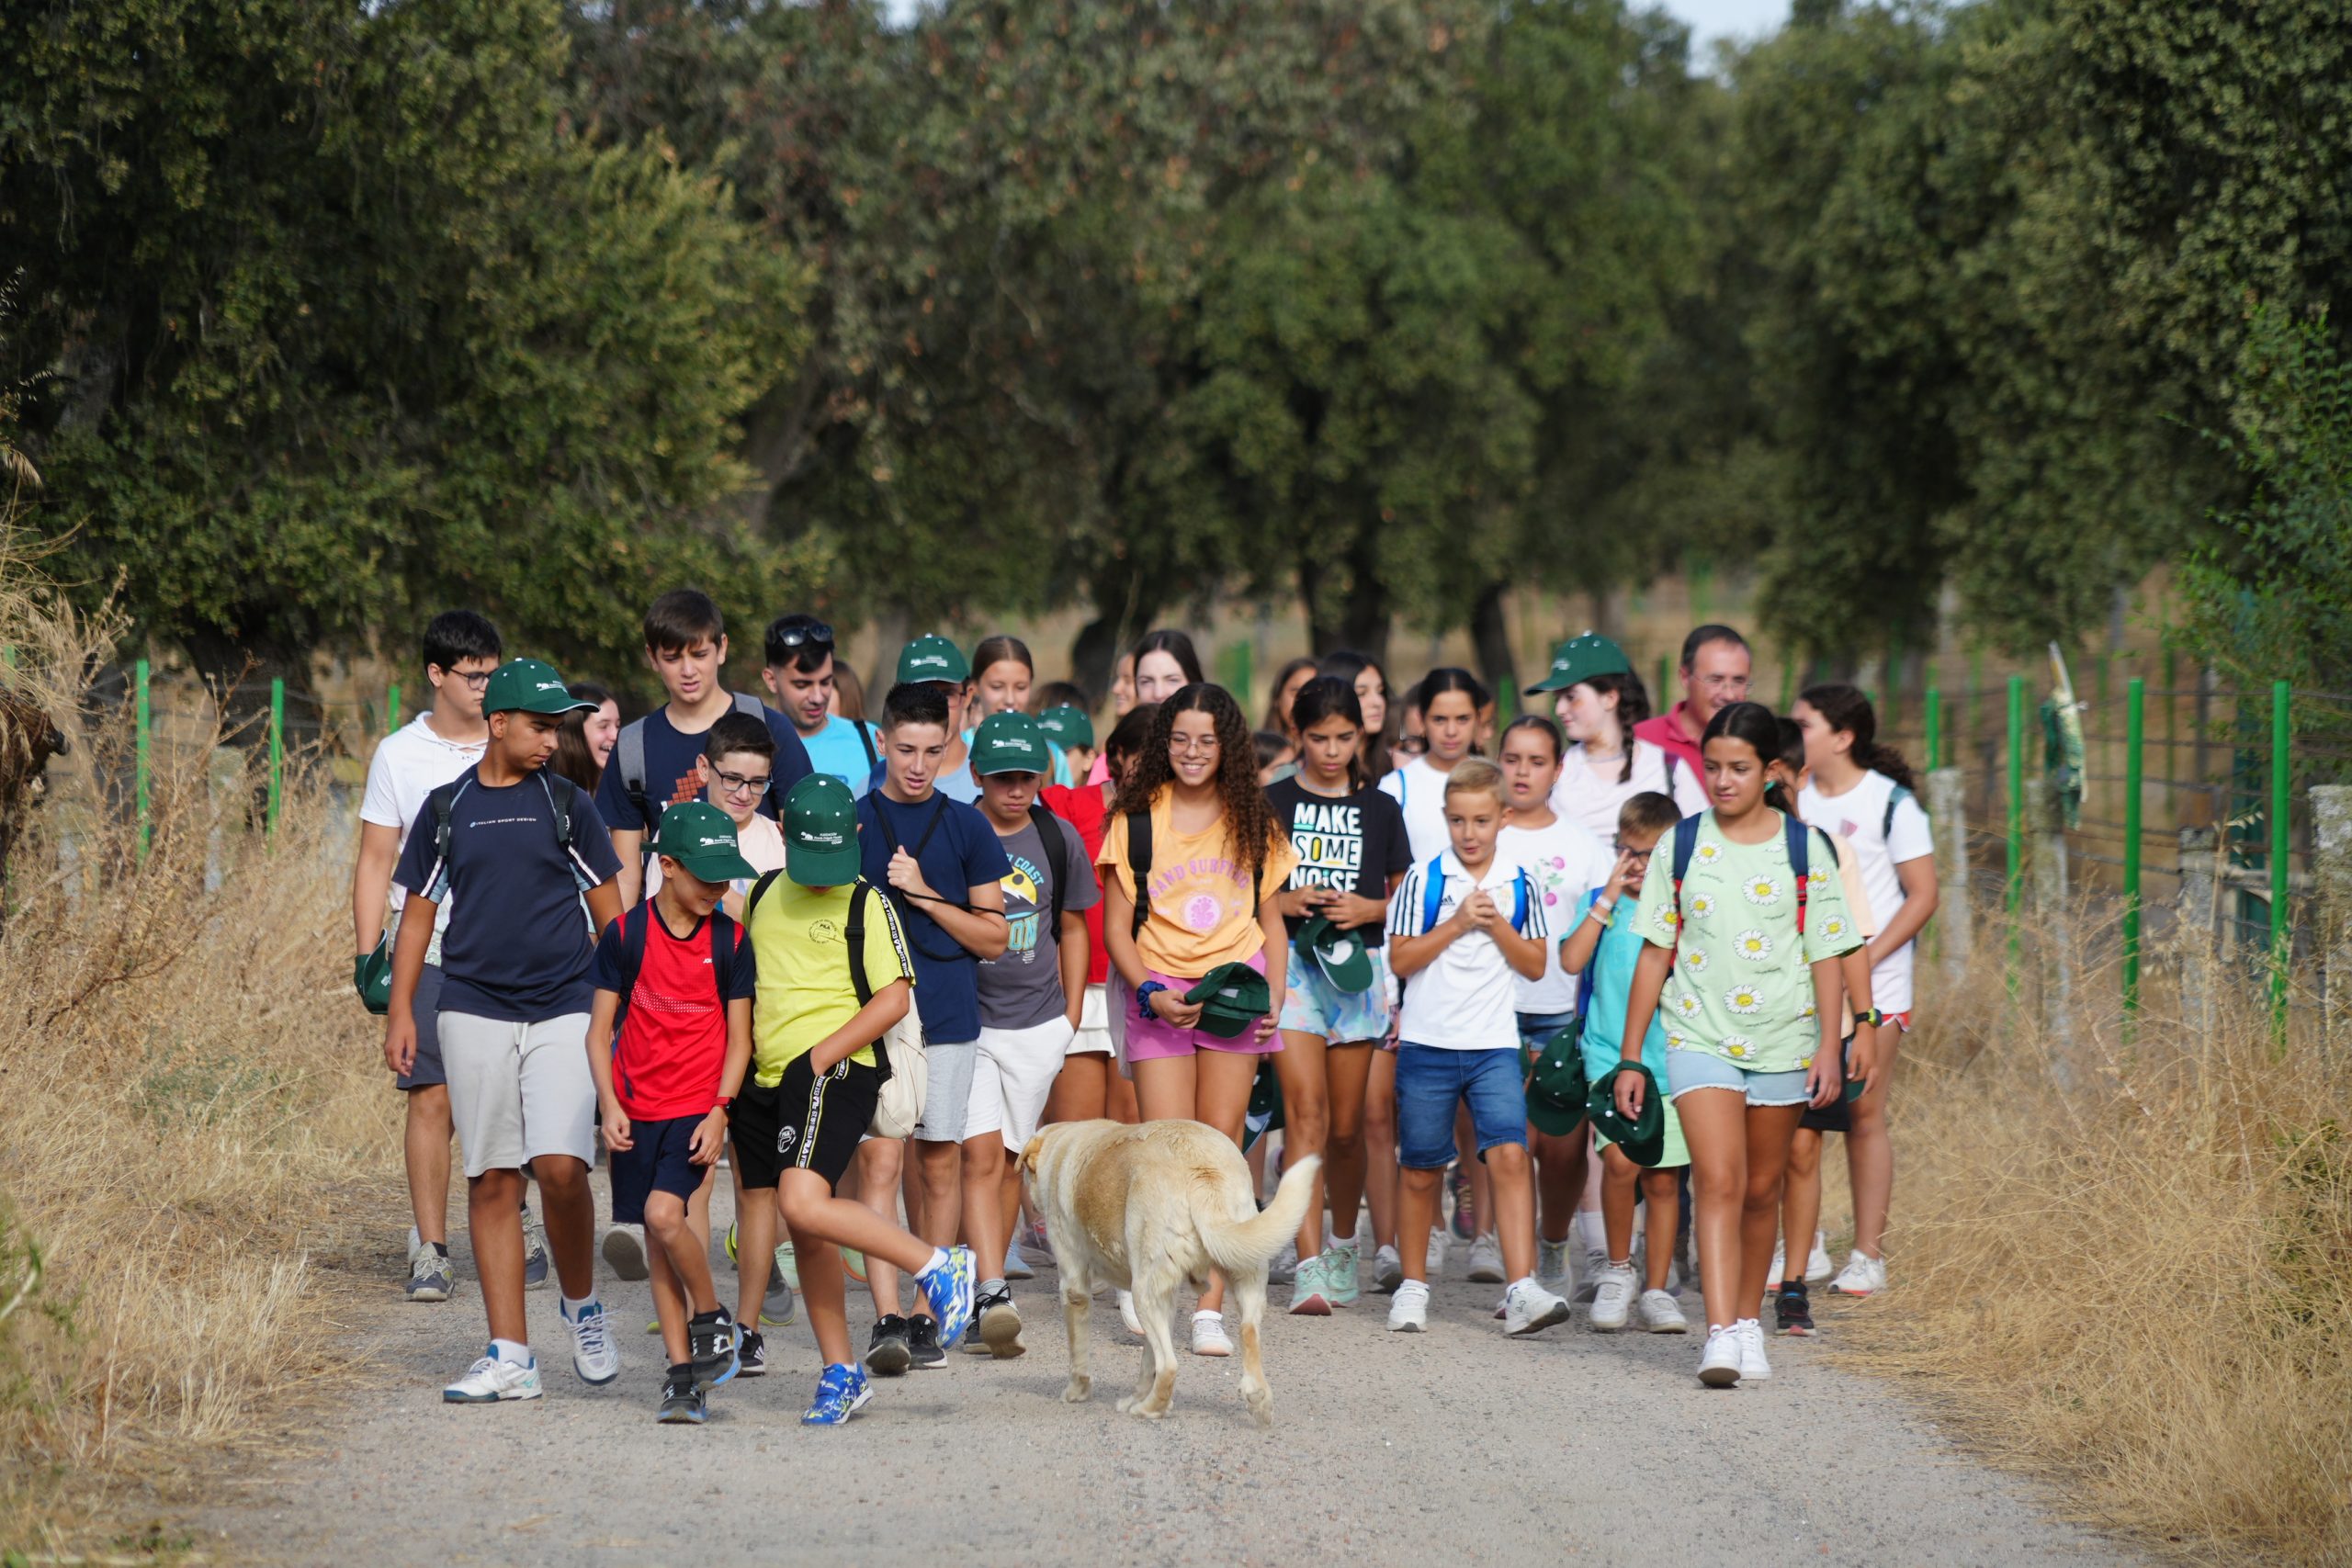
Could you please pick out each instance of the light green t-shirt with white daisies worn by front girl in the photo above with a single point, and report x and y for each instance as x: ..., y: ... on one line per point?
x: 1744, y: 981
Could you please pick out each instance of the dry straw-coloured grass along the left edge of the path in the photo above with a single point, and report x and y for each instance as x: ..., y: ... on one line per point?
x: 194, y: 1120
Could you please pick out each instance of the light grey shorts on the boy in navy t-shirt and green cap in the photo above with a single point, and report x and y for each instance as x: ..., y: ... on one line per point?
x: 519, y: 1090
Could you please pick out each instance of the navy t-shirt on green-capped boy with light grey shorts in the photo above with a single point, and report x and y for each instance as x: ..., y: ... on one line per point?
x: 519, y: 942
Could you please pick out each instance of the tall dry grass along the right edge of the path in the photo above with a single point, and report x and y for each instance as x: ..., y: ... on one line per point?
x: 2127, y: 1254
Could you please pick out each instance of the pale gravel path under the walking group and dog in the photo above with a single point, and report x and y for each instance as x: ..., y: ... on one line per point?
x: 1387, y: 1449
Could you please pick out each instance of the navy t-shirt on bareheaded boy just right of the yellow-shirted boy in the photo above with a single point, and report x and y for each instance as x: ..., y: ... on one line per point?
x: 958, y: 852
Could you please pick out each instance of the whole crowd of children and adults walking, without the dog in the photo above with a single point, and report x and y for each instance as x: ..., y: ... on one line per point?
x: 860, y: 965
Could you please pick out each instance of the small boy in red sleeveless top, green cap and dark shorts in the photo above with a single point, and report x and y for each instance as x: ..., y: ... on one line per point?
x: 674, y: 986
